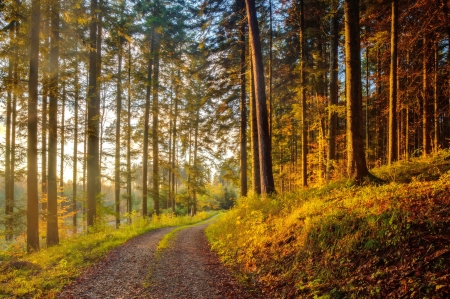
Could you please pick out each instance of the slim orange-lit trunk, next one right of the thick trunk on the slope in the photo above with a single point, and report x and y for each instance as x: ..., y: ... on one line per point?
x: 392, y: 142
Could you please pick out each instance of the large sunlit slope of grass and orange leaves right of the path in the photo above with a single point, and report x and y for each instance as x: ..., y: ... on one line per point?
x: 346, y: 241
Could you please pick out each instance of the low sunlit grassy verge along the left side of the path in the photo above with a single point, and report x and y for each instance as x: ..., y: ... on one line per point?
x: 43, y: 274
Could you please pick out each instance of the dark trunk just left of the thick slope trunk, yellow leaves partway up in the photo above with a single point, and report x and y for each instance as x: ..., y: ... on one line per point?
x: 334, y: 88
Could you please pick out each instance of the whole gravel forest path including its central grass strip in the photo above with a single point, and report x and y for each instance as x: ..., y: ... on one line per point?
x: 164, y: 263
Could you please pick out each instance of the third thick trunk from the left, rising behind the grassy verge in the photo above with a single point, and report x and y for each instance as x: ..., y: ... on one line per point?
x: 93, y: 161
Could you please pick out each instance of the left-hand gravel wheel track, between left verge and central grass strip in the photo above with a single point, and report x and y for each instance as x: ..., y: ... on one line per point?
x: 122, y: 273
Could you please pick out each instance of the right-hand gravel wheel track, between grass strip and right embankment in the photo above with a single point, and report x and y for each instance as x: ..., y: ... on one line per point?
x: 188, y: 269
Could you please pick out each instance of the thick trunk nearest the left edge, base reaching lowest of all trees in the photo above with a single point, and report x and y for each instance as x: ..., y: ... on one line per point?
x: 32, y: 173
